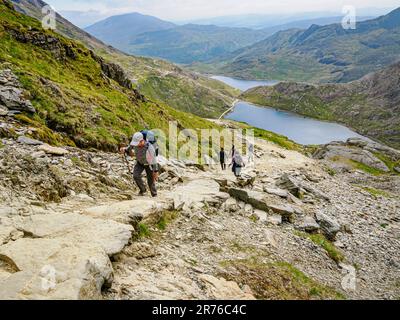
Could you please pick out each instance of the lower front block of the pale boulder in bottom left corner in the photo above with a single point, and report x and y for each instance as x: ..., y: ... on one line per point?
x: 55, y: 269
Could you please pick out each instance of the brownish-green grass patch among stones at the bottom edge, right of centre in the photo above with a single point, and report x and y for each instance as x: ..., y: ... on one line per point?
x: 276, y: 280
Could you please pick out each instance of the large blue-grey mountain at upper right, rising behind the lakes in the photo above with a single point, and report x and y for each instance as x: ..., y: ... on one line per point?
x: 319, y: 54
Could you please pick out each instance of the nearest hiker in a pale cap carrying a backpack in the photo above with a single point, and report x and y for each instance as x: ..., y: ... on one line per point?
x: 146, y: 160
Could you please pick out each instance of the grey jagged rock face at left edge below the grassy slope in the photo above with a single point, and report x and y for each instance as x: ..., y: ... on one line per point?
x: 11, y: 94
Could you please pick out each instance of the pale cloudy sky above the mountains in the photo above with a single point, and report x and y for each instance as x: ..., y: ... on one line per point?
x: 193, y: 9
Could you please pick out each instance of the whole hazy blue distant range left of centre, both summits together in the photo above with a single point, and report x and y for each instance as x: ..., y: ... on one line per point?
x: 149, y: 36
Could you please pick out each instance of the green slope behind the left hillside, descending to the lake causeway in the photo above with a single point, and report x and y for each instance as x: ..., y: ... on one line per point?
x: 163, y: 81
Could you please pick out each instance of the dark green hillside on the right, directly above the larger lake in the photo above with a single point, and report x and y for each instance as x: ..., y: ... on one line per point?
x: 370, y: 105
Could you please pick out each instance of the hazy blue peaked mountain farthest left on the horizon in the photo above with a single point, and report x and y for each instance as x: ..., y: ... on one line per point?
x: 119, y: 30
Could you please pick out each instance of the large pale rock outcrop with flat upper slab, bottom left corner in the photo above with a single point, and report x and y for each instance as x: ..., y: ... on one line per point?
x: 61, y: 256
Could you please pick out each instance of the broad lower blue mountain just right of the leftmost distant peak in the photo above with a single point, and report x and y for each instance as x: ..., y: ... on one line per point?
x: 190, y: 43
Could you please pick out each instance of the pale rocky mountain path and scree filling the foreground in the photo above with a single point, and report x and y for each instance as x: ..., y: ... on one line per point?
x: 71, y: 227
